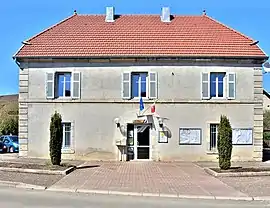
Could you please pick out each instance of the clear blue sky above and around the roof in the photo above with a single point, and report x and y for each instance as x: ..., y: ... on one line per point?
x: 21, y: 19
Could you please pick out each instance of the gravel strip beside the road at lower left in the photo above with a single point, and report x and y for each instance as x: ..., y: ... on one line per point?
x: 29, y: 178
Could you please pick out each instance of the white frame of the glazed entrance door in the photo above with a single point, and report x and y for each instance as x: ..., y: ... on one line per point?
x: 136, y: 143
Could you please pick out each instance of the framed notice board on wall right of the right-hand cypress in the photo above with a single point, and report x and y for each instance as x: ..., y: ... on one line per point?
x: 242, y: 136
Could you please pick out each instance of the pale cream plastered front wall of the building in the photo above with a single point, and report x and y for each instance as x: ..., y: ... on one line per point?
x: 181, y: 90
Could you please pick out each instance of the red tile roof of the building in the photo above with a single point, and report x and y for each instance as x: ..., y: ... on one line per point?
x: 140, y: 36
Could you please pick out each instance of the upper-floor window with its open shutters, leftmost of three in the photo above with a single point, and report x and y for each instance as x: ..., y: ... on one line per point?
x: 63, y: 85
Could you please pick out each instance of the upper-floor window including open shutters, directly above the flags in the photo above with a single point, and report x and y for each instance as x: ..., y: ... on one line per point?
x: 139, y: 84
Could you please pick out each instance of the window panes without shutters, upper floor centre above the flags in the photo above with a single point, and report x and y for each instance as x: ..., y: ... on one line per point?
x: 138, y: 85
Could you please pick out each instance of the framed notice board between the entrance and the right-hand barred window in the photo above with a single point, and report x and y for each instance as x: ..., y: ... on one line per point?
x: 190, y: 136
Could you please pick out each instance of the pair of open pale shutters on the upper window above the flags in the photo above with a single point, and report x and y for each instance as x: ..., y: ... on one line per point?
x: 126, y: 85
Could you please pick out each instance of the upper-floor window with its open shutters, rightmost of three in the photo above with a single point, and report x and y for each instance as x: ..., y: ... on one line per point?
x: 218, y: 85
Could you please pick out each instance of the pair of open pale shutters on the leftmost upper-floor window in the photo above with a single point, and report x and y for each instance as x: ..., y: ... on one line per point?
x: 75, y: 87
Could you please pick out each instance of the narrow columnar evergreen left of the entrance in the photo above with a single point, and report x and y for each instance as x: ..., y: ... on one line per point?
x: 56, y: 136
